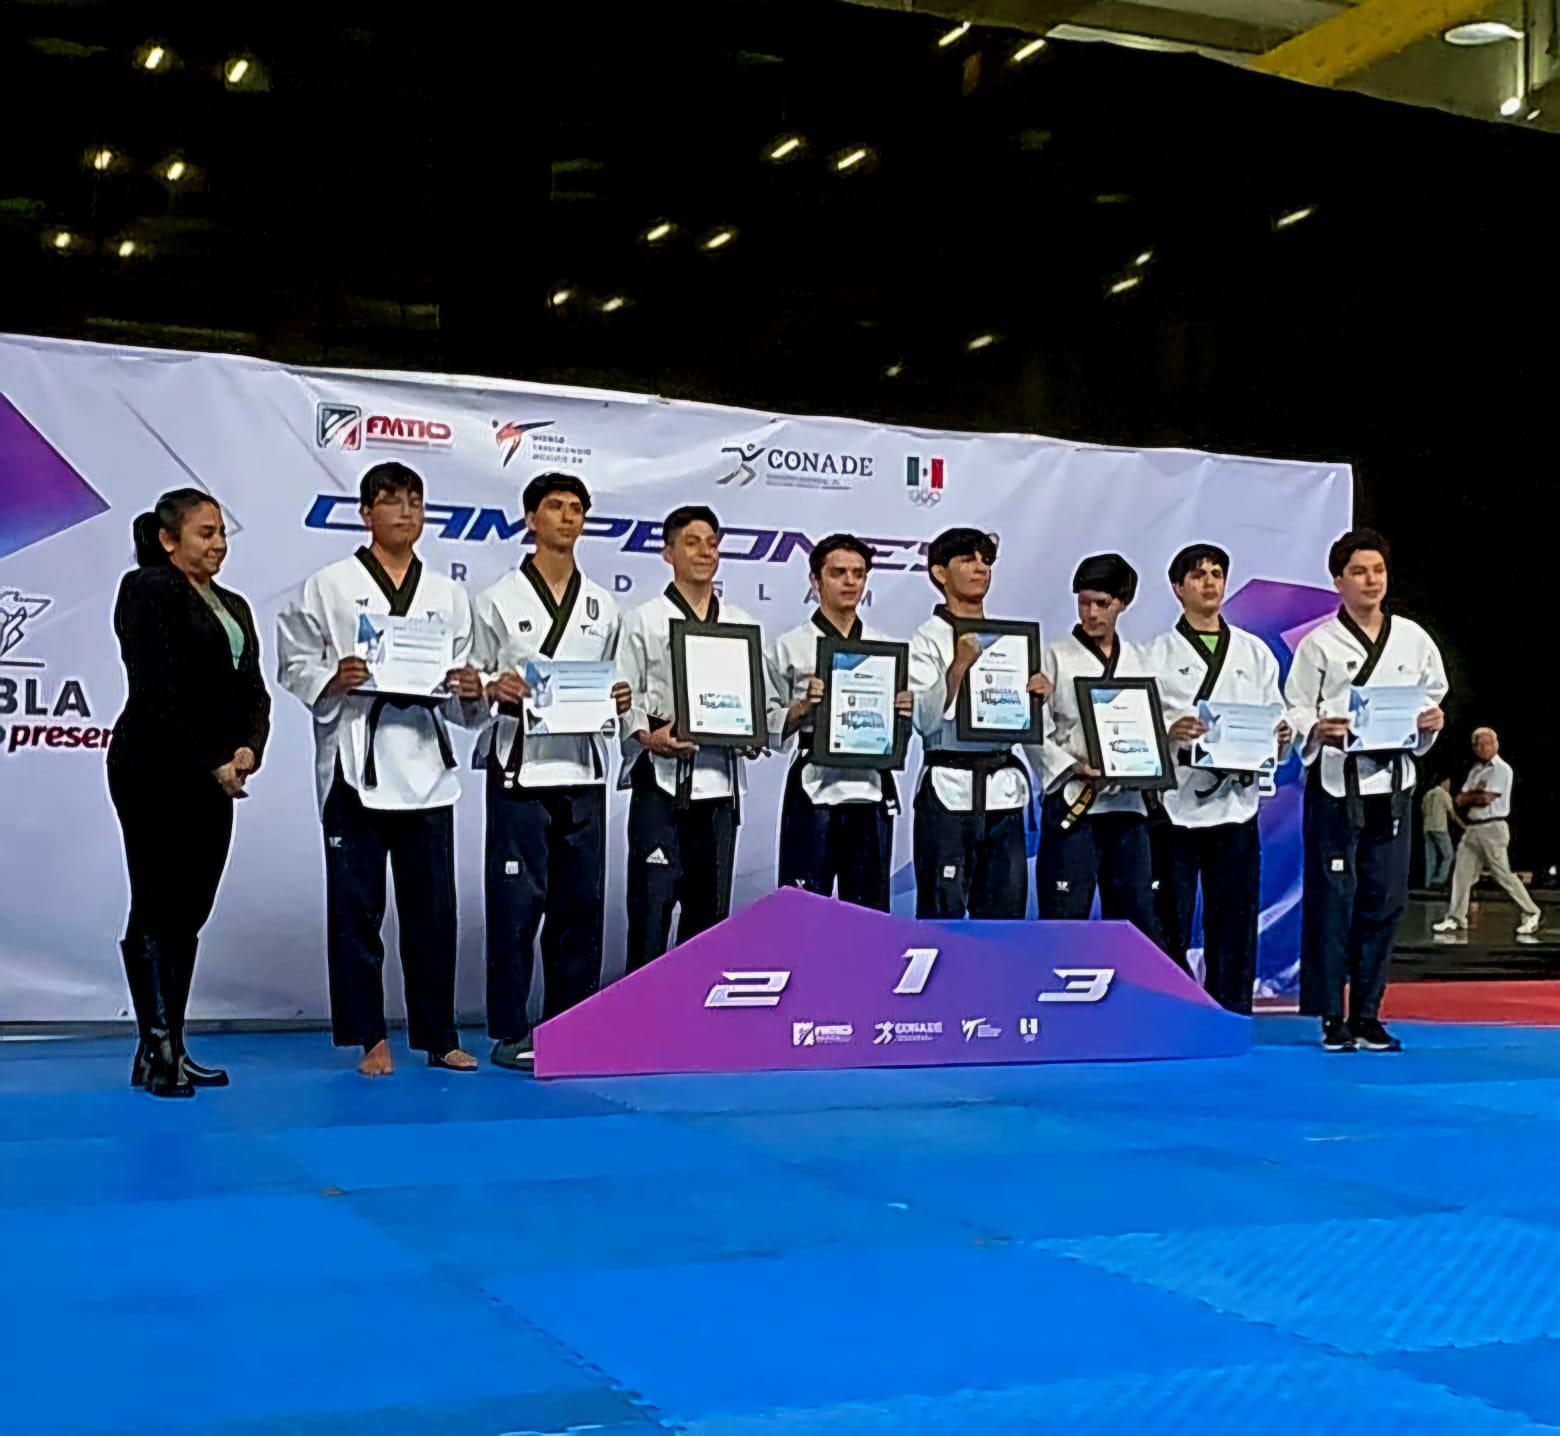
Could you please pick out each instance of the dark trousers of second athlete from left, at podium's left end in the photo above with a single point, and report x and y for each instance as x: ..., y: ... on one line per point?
x: 547, y: 851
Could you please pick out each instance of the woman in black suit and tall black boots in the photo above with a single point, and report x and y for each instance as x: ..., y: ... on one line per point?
x: 191, y: 735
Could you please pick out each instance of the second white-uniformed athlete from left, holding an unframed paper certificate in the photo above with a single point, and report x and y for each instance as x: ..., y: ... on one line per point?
x: 547, y: 794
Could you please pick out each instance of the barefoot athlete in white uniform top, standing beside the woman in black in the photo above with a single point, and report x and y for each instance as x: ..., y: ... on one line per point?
x: 385, y: 776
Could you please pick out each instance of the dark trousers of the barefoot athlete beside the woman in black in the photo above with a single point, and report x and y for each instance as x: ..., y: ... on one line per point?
x: 420, y: 849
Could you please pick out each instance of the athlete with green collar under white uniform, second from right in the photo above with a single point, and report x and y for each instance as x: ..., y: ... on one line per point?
x: 1211, y: 830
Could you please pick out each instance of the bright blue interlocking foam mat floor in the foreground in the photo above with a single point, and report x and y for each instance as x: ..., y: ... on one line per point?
x: 1288, y: 1242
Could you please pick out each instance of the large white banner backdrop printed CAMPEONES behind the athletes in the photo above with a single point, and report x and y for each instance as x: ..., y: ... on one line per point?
x: 91, y: 434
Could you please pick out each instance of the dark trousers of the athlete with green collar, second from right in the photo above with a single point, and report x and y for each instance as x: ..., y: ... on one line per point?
x: 1227, y: 860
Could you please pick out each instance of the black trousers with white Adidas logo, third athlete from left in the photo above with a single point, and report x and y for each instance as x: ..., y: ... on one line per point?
x: 679, y: 858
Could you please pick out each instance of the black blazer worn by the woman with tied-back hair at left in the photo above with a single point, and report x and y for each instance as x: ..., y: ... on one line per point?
x: 188, y: 707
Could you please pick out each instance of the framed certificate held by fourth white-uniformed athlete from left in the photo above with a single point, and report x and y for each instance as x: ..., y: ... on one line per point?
x: 857, y: 726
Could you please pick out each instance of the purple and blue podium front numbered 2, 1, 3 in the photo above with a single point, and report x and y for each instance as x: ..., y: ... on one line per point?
x: 798, y: 983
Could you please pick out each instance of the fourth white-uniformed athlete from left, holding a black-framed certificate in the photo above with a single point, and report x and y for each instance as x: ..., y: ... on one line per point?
x: 837, y: 824
